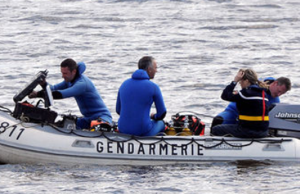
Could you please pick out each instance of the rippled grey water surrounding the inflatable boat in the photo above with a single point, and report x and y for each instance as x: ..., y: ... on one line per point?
x: 199, y: 46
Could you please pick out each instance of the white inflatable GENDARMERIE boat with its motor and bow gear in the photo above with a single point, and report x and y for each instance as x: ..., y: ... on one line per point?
x: 31, y: 135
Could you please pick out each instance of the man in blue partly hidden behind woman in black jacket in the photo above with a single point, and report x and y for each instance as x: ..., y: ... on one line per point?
x: 275, y: 89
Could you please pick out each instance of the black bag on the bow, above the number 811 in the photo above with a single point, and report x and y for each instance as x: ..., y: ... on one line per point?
x: 29, y: 113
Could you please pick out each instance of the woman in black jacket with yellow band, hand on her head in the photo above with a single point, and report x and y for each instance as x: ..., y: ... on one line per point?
x: 252, y: 105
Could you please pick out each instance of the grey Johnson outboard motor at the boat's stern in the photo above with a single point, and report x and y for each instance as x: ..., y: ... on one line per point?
x: 284, y: 120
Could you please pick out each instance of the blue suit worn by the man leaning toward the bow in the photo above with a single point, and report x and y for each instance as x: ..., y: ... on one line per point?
x: 87, y: 97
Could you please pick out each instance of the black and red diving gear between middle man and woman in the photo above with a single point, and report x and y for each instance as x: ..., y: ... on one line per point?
x: 195, y: 123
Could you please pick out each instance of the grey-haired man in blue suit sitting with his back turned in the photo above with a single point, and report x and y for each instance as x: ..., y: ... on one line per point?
x: 135, y: 98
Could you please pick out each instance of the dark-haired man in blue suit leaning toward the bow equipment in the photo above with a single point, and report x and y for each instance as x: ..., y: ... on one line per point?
x: 79, y: 86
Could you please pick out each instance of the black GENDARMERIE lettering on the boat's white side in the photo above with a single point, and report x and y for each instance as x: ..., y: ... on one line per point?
x: 162, y: 149
